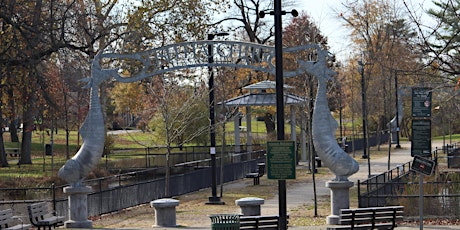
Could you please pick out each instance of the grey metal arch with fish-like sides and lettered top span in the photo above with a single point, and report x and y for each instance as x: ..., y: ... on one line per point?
x: 182, y: 56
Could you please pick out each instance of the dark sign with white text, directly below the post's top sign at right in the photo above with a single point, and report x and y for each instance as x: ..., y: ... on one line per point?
x: 421, y: 137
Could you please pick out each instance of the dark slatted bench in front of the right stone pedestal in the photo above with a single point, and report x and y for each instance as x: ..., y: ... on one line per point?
x: 370, y: 218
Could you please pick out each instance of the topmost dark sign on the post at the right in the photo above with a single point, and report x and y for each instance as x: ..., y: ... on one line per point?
x: 421, y: 102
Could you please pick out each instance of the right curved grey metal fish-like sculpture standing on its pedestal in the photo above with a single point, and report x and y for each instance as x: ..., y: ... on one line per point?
x: 324, y: 125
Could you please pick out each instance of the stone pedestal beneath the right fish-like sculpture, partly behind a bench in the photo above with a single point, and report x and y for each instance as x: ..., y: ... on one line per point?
x: 340, y: 199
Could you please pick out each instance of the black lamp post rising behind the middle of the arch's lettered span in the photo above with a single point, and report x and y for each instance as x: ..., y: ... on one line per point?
x: 213, y: 199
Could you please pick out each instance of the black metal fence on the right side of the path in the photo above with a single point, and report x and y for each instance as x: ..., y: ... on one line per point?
x: 400, y: 186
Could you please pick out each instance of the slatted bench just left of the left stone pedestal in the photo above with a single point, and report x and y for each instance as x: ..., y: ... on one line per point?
x: 41, y: 216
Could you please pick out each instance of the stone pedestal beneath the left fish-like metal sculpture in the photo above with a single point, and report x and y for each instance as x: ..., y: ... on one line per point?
x: 78, y: 207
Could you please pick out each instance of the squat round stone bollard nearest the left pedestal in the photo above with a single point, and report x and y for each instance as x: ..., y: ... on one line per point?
x: 165, y: 212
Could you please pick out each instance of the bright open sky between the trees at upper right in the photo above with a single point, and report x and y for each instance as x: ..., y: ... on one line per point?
x: 324, y: 15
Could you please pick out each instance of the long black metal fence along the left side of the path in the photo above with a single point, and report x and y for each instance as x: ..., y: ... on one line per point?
x: 115, y: 193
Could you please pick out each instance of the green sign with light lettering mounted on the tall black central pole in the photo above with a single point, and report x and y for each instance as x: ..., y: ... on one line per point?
x: 281, y: 160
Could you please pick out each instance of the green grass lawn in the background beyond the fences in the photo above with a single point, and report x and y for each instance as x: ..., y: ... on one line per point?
x: 48, y: 166
